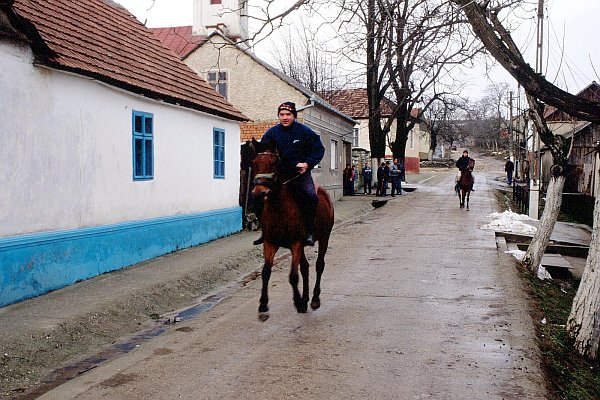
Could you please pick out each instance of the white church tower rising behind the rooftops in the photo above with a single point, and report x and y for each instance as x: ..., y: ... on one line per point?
x: 228, y: 16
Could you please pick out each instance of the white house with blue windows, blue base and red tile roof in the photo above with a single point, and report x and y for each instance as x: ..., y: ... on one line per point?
x: 113, y: 150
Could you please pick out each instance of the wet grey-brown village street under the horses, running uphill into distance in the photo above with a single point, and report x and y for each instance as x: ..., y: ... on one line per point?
x: 417, y: 303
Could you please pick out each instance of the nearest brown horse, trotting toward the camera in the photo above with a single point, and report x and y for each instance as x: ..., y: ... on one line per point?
x: 283, y: 226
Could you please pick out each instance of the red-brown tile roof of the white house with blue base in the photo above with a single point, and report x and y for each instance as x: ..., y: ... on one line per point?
x: 102, y: 40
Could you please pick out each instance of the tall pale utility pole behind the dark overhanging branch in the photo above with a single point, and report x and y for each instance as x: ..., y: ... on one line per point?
x: 534, y: 186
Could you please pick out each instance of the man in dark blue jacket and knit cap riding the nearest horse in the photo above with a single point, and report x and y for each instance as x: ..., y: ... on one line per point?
x: 300, y: 150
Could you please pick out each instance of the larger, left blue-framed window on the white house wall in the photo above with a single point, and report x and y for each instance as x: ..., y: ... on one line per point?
x: 143, y: 145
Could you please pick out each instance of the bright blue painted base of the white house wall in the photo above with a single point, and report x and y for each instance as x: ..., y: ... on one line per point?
x: 31, y: 265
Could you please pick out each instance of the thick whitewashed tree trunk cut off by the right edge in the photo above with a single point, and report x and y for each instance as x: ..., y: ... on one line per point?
x: 583, y: 324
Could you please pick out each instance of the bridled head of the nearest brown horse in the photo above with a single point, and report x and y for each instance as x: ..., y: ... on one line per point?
x: 264, y: 168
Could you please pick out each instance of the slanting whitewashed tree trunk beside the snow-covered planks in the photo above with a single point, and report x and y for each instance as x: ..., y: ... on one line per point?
x: 535, y: 251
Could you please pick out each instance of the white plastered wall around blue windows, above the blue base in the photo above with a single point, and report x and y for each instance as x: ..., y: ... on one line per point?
x: 66, y: 153
